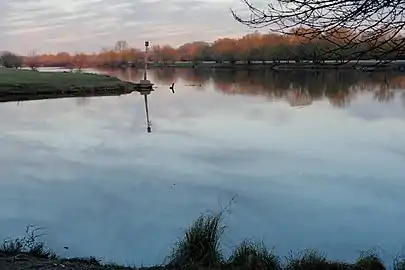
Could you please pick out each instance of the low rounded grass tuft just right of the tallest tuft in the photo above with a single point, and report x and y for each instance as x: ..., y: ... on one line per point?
x: 254, y: 256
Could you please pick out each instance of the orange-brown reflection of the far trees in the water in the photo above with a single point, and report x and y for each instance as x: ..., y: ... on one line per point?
x: 297, y: 88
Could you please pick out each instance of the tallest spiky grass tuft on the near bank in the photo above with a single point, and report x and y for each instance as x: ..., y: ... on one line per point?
x: 201, y: 244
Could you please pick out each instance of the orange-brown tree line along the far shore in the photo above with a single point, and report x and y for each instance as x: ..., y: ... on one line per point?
x: 248, y: 48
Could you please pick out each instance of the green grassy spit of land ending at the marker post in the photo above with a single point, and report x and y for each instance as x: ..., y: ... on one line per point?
x: 27, y: 85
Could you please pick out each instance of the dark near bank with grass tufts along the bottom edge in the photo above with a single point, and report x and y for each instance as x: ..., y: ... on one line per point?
x: 200, y: 248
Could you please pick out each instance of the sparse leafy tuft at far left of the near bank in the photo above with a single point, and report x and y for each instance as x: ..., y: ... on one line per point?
x: 28, y: 244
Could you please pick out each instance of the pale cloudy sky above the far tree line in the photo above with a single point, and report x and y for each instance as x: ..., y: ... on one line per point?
x: 89, y: 25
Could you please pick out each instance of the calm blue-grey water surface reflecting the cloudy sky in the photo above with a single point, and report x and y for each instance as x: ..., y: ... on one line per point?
x: 314, y: 160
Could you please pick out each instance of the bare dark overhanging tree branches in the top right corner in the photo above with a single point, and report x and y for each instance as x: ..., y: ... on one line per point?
x: 355, y: 29
